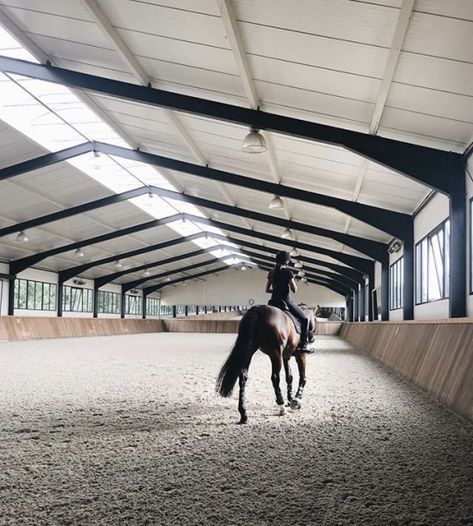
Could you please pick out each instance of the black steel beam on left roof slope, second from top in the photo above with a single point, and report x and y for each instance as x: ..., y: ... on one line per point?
x: 68, y: 212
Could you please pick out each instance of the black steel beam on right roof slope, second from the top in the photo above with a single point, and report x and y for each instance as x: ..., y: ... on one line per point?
x: 387, y: 220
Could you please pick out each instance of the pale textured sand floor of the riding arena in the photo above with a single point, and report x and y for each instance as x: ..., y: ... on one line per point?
x: 128, y: 431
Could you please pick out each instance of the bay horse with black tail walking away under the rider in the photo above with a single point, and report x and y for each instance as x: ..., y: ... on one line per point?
x: 271, y: 330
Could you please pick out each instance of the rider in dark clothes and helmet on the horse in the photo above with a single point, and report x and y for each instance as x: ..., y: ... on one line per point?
x: 280, y: 282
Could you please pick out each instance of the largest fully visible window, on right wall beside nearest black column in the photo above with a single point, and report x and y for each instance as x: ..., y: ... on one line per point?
x: 433, y: 265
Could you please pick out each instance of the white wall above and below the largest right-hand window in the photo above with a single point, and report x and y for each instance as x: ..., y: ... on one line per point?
x: 436, y: 211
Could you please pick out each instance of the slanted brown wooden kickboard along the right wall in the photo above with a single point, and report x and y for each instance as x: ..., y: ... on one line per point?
x: 436, y: 355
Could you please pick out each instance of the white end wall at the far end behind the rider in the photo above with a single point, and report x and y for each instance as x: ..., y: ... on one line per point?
x: 237, y: 287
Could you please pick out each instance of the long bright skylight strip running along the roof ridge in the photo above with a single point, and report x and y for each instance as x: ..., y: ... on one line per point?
x: 54, y: 117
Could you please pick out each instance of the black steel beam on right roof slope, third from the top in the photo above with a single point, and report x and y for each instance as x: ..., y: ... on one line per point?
x: 373, y: 249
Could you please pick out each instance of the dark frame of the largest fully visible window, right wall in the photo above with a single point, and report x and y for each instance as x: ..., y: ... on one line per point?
x: 445, y: 293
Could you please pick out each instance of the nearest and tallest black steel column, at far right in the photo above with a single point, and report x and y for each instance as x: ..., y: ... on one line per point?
x: 458, y: 241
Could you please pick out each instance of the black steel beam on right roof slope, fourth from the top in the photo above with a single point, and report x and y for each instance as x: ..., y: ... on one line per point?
x: 361, y: 264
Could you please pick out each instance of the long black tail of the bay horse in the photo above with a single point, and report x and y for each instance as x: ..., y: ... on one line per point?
x: 244, y: 343
